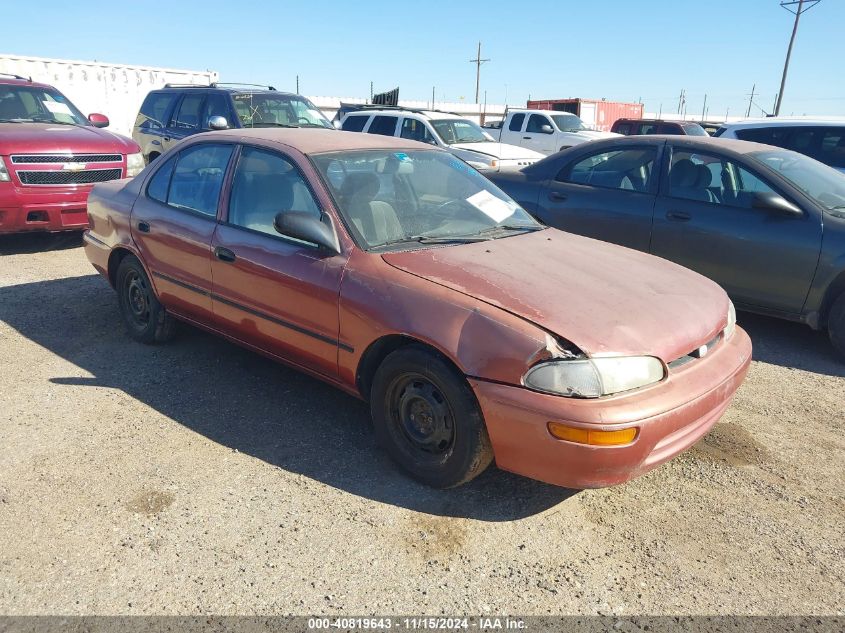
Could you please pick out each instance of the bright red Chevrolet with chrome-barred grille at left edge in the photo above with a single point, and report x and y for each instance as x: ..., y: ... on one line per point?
x: 51, y: 156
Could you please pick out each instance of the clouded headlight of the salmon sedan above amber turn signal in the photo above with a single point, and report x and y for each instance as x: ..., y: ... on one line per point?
x: 594, y: 377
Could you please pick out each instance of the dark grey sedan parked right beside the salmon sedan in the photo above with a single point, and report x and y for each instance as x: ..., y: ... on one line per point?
x: 765, y: 223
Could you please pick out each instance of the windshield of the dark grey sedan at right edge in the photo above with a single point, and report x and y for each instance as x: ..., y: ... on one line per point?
x: 823, y: 184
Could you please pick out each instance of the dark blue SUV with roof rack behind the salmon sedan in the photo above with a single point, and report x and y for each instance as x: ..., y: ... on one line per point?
x: 176, y: 111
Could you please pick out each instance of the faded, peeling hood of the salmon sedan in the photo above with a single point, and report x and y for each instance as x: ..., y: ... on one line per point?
x: 604, y: 298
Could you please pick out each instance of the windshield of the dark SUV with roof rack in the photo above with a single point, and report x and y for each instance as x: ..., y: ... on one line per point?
x: 259, y: 109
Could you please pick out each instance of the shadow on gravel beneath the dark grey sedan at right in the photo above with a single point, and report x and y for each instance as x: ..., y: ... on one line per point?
x: 789, y: 344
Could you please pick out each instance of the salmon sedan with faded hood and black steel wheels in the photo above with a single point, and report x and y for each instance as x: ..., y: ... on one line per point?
x: 399, y: 274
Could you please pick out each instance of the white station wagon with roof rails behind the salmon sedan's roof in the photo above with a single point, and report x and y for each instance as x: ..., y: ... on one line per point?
x: 462, y: 137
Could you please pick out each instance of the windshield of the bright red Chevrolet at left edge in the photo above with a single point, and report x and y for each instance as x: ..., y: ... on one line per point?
x: 28, y: 104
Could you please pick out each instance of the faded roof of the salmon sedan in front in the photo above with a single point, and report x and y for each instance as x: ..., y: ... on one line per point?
x: 316, y: 141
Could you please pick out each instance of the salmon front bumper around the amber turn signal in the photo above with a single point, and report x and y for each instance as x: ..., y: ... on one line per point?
x: 671, y: 417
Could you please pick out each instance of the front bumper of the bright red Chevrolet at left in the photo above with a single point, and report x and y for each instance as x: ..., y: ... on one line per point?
x: 43, y: 208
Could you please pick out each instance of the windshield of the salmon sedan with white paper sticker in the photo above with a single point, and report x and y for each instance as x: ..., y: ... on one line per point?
x: 391, y: 198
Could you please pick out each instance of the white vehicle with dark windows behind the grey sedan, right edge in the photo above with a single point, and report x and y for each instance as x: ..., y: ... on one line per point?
x: 822, y: 139
